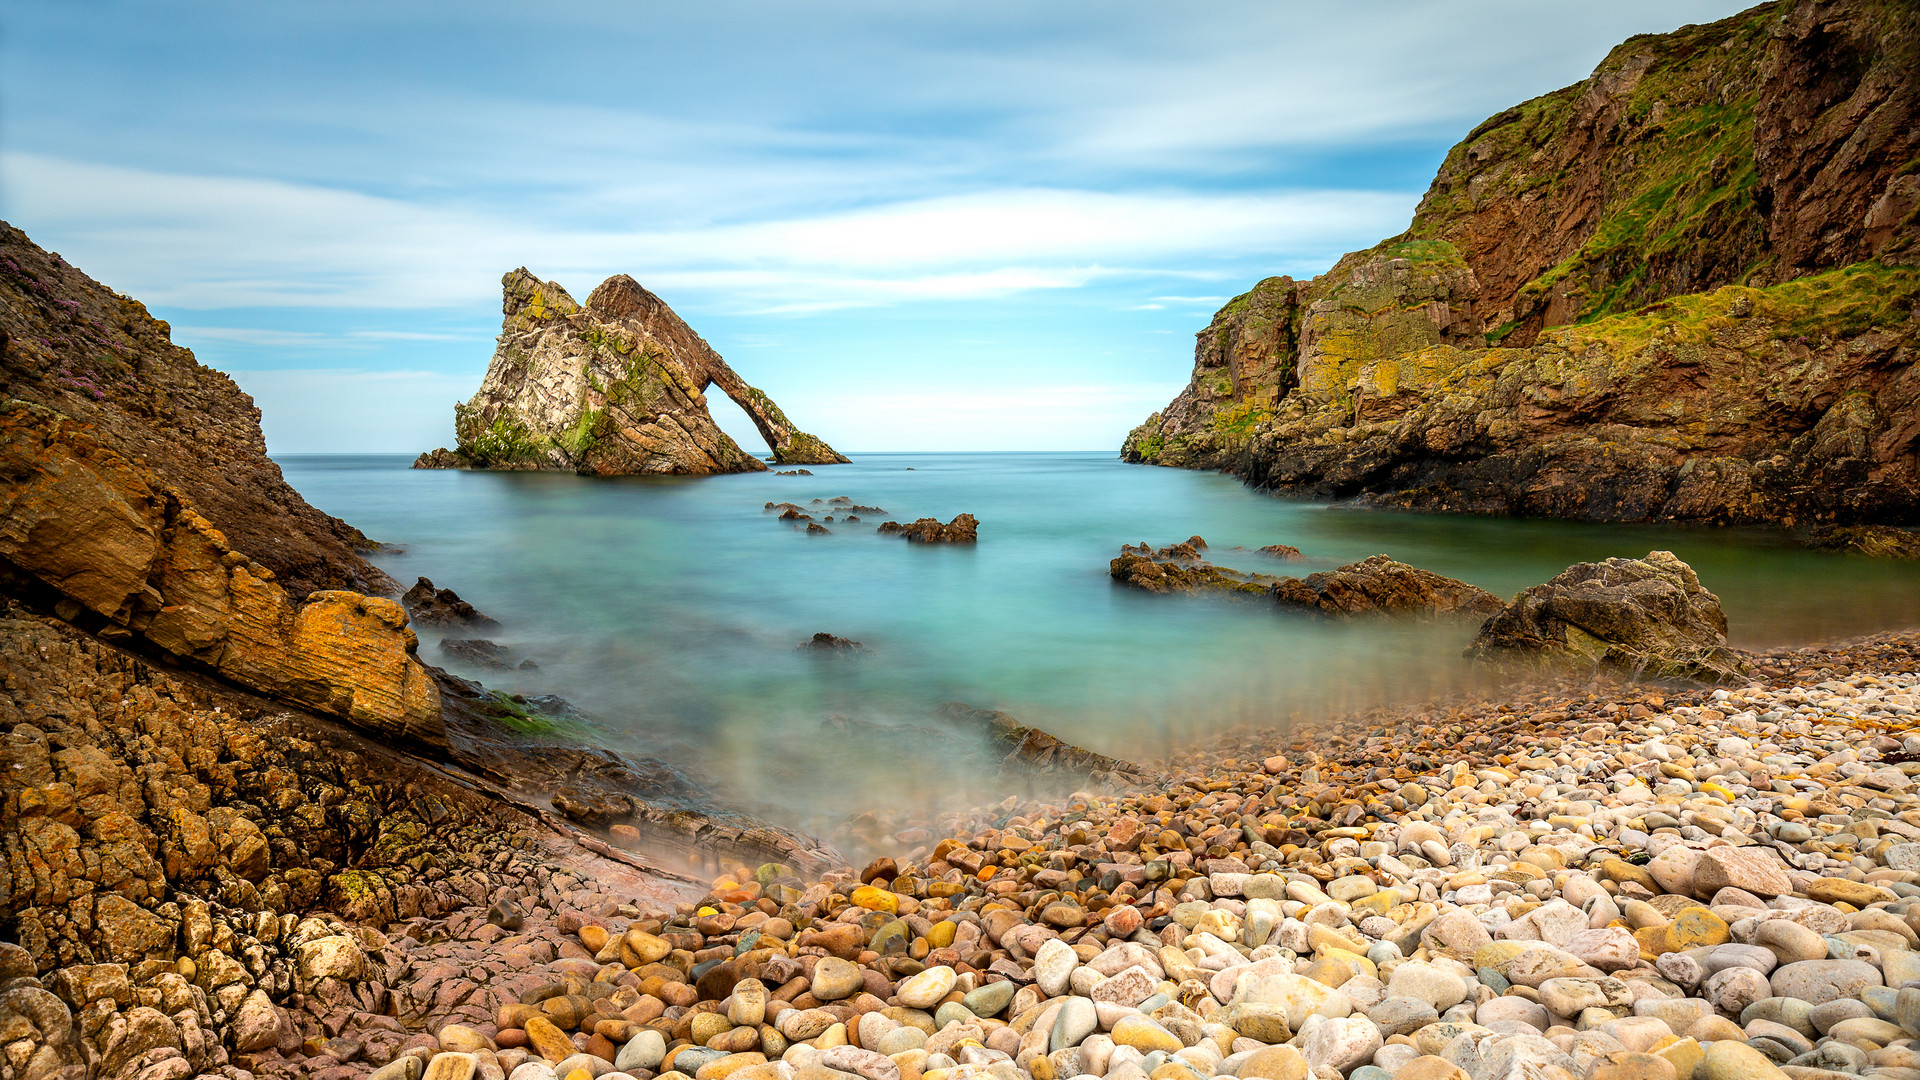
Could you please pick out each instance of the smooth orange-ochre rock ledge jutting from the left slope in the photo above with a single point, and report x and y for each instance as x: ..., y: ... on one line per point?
x: 133, y: 558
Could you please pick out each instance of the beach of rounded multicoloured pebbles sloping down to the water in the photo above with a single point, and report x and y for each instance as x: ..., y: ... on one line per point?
x: 1598, y: 881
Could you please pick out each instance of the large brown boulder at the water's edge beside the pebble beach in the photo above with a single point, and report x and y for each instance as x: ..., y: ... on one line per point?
x: 1629, y: 616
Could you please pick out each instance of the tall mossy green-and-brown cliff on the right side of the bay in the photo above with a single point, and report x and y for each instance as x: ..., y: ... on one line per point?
x: 1681, y: 289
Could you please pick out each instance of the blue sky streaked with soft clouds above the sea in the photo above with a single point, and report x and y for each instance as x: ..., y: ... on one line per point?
x: 934, y: 226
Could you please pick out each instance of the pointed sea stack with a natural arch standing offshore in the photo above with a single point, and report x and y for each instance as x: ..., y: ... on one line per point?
x: 610, y: 389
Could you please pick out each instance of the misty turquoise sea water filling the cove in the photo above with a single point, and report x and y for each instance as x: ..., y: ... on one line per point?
x: 671, y: 608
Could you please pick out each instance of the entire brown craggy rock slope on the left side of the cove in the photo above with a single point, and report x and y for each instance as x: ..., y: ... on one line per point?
x: 208, y: 770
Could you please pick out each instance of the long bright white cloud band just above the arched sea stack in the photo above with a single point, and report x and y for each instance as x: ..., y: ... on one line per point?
x: 208, y: 243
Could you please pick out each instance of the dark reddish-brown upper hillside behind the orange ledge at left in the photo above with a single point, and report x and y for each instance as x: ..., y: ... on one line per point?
x: 78, y: 347
